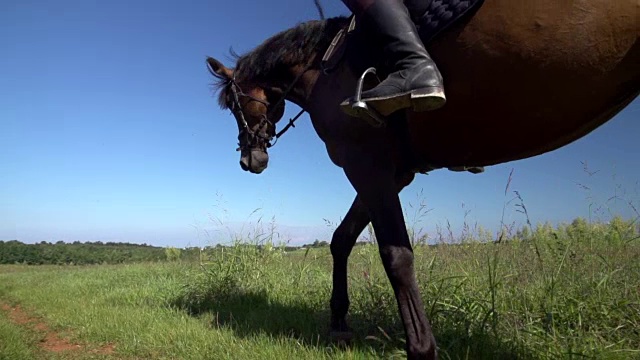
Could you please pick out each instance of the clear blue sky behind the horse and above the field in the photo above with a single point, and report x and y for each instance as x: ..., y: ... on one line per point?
x: 110, y: 132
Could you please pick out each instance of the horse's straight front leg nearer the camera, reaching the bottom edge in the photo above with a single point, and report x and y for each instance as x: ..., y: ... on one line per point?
x: 373, y: 178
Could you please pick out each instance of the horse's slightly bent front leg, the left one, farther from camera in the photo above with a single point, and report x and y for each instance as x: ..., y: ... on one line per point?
x: 344, y: 237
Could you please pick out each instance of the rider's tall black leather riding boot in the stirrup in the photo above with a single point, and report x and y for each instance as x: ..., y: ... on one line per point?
x: 414, y: 79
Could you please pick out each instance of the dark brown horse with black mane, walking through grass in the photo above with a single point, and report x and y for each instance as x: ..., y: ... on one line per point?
x: 522, y: 78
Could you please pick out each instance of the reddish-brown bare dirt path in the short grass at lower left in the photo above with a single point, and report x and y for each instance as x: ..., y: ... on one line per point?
x: 50, y: 340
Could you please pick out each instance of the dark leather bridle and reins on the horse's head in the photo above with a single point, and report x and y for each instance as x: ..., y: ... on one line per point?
x: 259, y: 138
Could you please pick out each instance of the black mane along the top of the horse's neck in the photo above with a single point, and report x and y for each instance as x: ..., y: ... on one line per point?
x: 275, y: 55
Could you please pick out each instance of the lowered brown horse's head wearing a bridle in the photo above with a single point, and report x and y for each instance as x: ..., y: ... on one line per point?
x: 256, y: 109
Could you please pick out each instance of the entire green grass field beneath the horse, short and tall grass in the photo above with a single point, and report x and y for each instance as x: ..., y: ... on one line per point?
x: 571, y: 292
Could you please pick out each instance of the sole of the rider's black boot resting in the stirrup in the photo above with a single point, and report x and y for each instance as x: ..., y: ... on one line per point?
x: 427, y: 99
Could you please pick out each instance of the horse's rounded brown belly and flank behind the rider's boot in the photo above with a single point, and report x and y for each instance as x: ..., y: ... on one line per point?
x: 529, y: 77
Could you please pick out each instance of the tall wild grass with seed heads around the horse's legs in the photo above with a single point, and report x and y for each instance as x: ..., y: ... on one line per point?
x: 551, y: 293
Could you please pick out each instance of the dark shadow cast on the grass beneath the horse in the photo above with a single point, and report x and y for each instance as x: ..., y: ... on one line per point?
x: 251, y: 313
